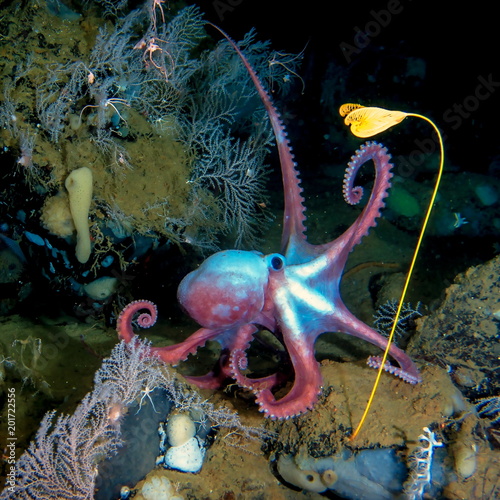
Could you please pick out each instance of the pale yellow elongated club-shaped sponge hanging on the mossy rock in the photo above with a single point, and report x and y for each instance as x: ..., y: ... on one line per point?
x: 79, y: 186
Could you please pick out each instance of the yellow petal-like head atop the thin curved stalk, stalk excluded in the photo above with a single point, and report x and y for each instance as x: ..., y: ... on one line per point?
x: 369, y: 121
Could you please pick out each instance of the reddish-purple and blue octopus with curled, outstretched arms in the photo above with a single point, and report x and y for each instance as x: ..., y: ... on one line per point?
x: 294, y: 294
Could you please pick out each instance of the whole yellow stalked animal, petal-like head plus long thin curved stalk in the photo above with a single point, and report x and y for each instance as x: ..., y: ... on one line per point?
x: 367, y: 122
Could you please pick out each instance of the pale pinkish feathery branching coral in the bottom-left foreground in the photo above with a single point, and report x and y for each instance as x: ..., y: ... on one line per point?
x: 63, y: 460
